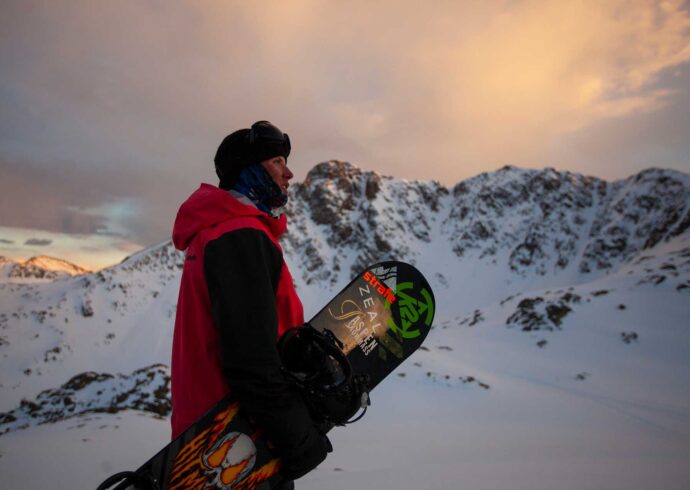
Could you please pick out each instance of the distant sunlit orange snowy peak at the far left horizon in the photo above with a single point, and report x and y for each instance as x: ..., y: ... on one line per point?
x: 39, y: 267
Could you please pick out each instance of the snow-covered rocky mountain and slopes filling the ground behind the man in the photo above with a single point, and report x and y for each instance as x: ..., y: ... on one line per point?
x: 560, y: 298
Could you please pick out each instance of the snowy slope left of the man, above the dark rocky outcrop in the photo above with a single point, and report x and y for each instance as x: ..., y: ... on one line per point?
x: 116, y: 320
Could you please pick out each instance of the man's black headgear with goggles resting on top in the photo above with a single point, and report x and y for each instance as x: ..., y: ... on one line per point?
x: 245, y: 147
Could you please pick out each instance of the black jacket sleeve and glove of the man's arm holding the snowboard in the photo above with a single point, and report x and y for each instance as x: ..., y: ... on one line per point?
x: 242, y: 270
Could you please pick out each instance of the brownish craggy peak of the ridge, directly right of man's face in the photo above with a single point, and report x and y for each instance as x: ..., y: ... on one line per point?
x: 343, y: 219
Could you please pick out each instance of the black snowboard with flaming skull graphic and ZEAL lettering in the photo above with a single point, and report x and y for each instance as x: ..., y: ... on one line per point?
x: 378, y: 320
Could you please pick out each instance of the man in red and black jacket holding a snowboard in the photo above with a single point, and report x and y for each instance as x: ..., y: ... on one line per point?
x: 237, y: 297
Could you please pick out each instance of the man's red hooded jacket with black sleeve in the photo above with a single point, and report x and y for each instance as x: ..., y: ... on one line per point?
x: 236, y: 297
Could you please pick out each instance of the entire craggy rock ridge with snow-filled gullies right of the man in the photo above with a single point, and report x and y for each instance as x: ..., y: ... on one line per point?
x: 543, y: 221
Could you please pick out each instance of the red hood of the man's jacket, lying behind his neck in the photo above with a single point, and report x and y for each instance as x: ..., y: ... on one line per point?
x: 209, y: 206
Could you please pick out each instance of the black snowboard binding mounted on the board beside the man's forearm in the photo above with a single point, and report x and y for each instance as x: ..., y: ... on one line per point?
x: 315, y: 363
